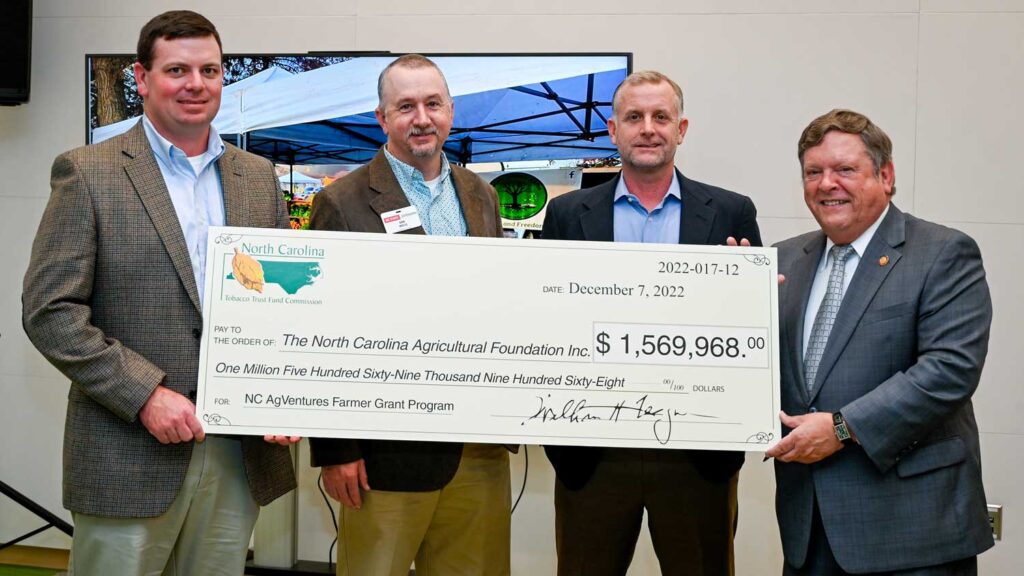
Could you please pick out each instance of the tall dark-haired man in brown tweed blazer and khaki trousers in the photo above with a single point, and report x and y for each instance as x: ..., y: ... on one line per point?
x: 113, y: 300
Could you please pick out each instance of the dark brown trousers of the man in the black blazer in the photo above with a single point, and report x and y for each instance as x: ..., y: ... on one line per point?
x: 692, y: 520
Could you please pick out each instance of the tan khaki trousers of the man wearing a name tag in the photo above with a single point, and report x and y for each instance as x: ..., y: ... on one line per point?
x: 460, y: 530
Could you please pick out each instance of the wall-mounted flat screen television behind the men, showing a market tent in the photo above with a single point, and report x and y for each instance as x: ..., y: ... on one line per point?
x: 545, y: 115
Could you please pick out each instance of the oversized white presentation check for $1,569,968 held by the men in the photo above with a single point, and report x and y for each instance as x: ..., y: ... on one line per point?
x: 360, y: 336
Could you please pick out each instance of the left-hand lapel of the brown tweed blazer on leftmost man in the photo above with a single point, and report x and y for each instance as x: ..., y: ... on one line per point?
x: 145, y: 175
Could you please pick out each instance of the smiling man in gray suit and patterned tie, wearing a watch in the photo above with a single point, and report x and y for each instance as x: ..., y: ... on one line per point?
x: 885, y: 322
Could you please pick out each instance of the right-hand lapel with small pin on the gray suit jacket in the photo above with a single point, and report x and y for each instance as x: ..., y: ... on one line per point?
x: 867, y: 281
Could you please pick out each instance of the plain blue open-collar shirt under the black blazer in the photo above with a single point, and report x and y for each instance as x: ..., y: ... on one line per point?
x: 633, y: 223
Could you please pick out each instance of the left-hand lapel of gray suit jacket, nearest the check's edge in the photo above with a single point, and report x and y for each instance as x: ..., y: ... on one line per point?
x: 794, y: 307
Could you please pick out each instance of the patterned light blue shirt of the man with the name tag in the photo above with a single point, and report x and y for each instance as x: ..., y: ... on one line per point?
x: 438, y: 205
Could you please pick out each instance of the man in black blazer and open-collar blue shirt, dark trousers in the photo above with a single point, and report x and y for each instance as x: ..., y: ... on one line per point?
x: 602, y: 493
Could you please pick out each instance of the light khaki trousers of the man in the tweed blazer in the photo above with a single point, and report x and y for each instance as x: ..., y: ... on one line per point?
x: 206, y: 530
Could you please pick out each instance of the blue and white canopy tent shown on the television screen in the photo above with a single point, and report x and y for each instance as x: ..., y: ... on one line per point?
x: 507, y: 108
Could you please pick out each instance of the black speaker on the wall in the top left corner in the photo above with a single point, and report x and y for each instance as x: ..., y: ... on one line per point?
x: 16, y: 51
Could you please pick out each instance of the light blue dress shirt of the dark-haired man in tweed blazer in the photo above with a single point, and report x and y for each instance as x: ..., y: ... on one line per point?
x: 195, y: 188
